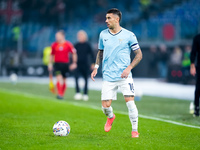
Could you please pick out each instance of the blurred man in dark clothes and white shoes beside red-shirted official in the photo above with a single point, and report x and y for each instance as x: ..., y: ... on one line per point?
x: 84, y: 51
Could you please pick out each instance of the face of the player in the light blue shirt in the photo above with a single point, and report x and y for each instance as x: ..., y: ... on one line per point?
x: 111, y: 20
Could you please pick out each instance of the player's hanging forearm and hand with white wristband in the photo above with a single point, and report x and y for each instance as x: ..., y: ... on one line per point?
x: 98, y: 62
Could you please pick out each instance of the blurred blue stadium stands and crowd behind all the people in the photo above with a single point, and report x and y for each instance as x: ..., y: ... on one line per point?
x: 164, y: 29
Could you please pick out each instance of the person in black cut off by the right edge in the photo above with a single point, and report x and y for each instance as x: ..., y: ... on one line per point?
x: 195, y: 70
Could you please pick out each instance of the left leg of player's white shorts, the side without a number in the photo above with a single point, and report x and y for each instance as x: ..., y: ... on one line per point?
x: 109, y: 91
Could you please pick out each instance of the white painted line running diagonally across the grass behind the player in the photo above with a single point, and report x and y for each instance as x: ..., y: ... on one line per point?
x: 98, y: 108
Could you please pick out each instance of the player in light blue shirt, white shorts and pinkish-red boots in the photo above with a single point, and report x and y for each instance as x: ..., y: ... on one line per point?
x: 115, y: 45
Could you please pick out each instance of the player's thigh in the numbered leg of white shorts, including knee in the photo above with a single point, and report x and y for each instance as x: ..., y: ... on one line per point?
x: 127, y: 88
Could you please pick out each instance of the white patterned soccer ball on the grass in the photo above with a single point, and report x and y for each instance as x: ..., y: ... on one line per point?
x: 61, y: 128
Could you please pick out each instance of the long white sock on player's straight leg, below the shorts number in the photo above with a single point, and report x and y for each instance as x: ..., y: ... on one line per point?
x: 133, y: 114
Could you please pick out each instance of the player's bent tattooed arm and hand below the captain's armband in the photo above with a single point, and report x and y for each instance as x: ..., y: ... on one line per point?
x: 135, y: 62
